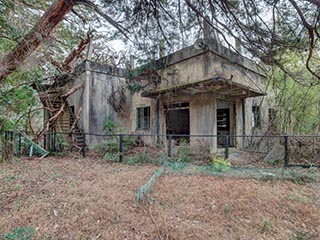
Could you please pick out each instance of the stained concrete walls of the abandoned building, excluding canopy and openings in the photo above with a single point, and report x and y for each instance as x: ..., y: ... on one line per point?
x: 186, y: 66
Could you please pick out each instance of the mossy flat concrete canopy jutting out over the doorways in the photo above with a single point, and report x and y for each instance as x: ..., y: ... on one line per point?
x: 217, y: 85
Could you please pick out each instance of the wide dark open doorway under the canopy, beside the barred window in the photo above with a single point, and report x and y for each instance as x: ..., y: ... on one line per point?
x: 177, y: 119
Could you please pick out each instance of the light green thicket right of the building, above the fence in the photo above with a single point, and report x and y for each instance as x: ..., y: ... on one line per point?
x: 296, y: 97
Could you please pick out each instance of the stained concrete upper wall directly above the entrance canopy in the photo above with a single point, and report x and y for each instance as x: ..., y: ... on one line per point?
x: 190, y: 65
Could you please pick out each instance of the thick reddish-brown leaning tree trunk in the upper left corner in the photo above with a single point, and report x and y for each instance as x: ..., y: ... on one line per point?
x: 48, y: 22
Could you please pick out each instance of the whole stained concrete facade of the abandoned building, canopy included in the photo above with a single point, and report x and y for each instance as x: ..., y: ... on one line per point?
x: 201, y: 80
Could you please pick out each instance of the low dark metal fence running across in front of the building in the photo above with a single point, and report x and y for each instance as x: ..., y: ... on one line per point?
x: 241, y: 150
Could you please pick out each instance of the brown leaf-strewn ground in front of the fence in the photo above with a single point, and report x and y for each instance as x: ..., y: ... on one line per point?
x: 92, y: 199
